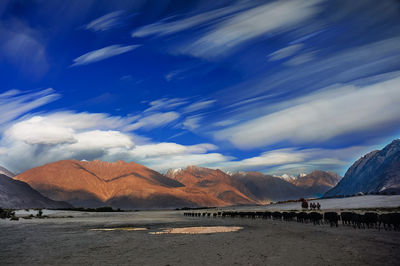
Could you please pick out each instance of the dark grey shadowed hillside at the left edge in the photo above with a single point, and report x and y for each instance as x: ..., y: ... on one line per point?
x: 16, y: 194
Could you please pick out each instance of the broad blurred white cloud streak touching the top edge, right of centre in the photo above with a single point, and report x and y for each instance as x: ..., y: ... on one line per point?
x: 247, y: 25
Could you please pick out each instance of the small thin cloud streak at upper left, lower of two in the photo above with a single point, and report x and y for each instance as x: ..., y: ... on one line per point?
x: 103, y: 53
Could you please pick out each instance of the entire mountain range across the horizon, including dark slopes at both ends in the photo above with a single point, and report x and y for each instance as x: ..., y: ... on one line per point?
x: 129, y: 185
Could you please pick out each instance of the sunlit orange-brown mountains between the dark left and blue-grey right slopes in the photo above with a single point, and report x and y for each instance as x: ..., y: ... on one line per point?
x: 133, y: 186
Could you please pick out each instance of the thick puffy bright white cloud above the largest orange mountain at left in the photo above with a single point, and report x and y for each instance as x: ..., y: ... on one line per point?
x: 43, y: 139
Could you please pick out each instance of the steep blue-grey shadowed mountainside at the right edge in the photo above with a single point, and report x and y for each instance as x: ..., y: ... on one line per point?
x: 377, y: 171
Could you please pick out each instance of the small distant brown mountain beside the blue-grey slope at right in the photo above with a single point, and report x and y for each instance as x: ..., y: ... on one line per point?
x: 317, y: 182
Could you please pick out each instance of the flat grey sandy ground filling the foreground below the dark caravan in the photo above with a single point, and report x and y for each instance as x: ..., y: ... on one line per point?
x: 70, y: 241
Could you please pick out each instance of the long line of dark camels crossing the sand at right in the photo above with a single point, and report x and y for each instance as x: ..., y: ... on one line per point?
x: 368, y: 220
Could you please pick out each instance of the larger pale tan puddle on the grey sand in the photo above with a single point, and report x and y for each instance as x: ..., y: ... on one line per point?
x: 199, y: 230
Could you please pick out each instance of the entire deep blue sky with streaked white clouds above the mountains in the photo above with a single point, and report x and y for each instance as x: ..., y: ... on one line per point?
x: 280, y: 87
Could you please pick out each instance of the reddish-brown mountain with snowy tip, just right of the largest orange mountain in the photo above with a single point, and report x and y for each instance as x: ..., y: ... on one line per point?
x: 217, y: 184
